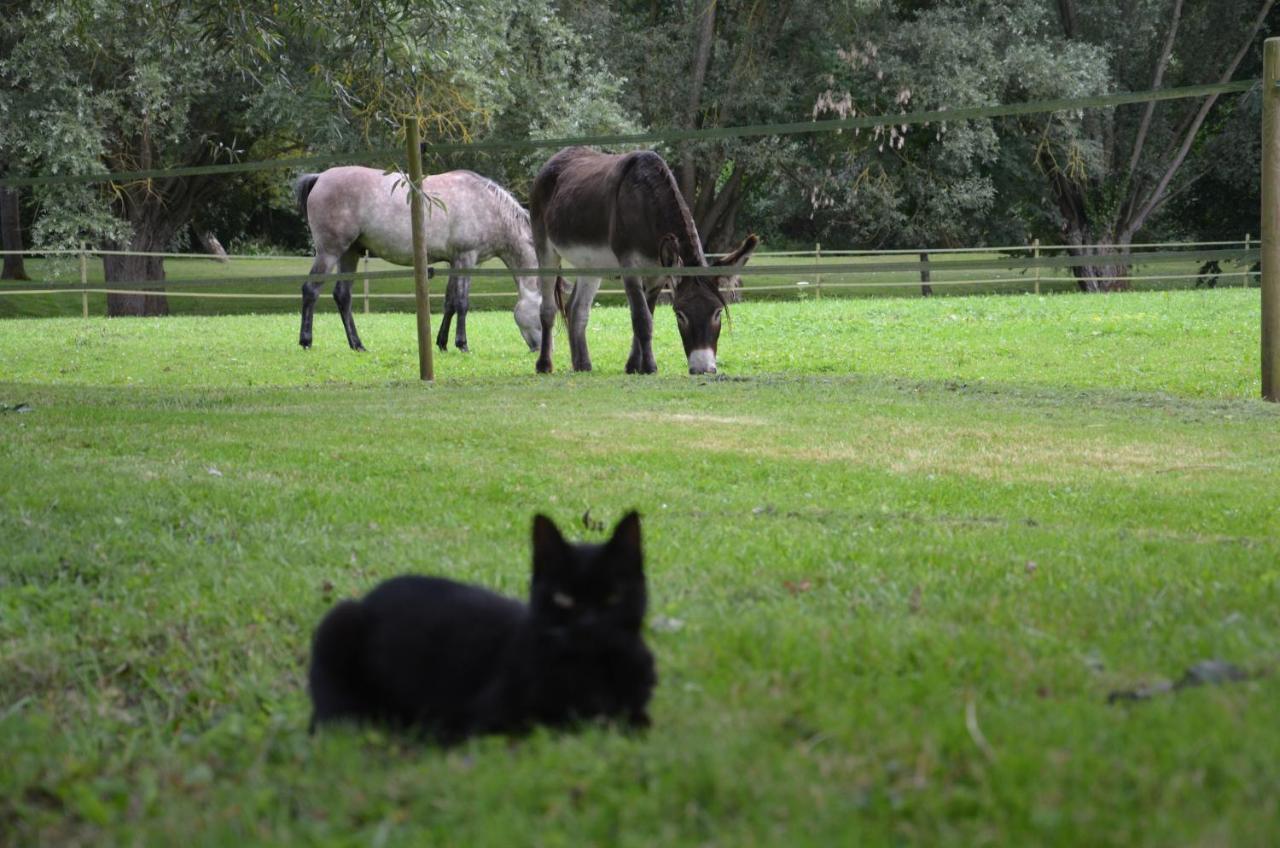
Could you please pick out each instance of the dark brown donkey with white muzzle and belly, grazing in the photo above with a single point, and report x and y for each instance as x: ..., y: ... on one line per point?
x: 604, y: 211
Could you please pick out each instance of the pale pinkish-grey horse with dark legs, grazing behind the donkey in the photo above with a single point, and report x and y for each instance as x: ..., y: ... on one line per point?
x: 353, y: 209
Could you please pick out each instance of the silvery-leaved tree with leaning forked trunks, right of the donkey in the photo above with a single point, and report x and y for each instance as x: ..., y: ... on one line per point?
x: 1099, y: 177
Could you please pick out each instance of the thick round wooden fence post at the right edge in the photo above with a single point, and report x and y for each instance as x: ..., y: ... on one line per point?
x: 1272, y: 221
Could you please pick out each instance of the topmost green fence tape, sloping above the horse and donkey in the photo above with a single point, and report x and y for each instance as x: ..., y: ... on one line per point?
x: 804, y: 127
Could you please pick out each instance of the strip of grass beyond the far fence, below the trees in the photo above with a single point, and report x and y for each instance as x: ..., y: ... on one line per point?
x: 249, y: 276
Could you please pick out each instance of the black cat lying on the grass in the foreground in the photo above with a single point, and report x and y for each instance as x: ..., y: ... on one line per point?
x: 454, y: 660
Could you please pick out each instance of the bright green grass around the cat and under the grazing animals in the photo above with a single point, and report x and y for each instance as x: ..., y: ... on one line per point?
x: 899, y: 555
